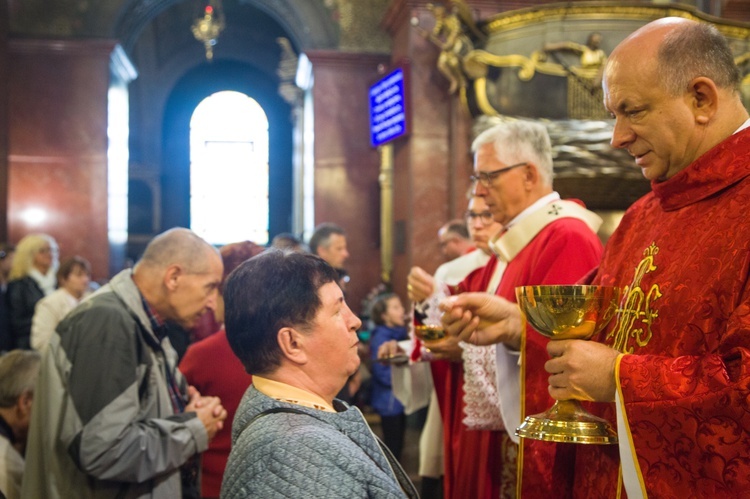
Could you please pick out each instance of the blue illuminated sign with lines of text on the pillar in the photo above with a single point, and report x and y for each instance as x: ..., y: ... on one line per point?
x: 388, y: 108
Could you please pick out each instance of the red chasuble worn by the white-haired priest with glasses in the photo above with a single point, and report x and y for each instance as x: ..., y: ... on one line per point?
x: 561, y: 253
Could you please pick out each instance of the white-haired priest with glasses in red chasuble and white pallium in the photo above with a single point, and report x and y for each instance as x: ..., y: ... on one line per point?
x: 544, y: 241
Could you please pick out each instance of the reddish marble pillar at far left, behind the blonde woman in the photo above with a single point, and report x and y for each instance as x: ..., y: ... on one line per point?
x: 57, y: 116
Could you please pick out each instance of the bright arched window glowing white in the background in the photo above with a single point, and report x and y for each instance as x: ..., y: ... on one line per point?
x: 229, y: 169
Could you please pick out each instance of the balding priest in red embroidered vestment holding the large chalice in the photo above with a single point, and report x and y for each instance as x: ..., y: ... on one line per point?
x: 673, y: 371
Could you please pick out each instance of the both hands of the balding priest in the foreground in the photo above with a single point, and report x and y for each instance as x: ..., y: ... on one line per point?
x: 583, y: 370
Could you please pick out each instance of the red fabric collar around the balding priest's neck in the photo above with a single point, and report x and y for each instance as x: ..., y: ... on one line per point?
x: 722, y: 166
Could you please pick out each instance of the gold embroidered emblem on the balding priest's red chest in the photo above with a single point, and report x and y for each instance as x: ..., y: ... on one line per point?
x: 636, y: 313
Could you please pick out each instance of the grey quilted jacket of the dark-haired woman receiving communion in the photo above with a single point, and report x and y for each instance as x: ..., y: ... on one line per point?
x: 316, y: 454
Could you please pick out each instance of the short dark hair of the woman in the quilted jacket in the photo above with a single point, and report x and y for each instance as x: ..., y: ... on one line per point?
x: 268, y: 292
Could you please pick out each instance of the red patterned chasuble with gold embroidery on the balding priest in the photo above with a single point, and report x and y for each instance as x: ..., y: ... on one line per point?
x: 683, y: 251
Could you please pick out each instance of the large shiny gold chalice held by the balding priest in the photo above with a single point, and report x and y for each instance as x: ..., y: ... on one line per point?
x: 563, y: 313
